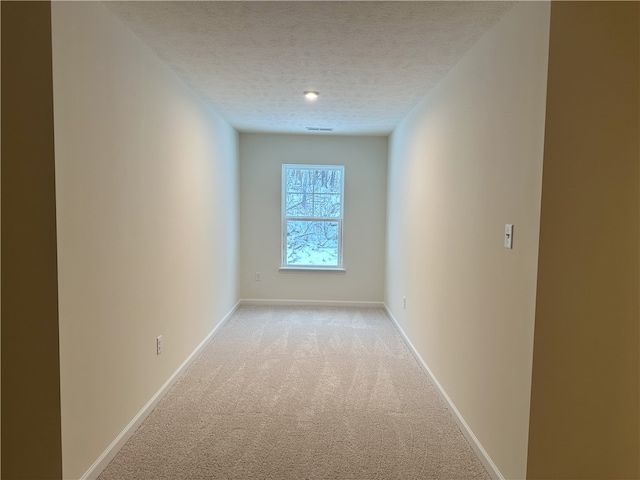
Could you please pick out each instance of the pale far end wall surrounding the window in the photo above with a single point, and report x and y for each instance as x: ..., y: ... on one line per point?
x: 365, y: 161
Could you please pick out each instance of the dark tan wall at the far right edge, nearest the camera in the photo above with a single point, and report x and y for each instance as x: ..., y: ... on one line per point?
x: 584, y: 400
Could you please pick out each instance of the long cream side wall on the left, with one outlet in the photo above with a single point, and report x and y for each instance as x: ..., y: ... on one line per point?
x: 147, y: 184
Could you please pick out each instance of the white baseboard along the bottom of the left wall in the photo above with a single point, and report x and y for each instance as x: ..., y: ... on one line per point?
x: 112, y: 450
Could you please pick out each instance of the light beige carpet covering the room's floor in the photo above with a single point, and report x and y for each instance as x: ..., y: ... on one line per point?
x: 300, y: 393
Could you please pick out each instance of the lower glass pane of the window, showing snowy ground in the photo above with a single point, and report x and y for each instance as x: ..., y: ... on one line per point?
x: 312, y: 243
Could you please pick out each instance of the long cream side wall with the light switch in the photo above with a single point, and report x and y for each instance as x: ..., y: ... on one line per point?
x: 464, y: 163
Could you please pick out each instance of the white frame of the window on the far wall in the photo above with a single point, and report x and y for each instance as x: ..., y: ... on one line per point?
x: 340, y: 220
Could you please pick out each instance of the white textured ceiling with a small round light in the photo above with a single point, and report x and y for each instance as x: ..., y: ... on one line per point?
x: 372, y: 62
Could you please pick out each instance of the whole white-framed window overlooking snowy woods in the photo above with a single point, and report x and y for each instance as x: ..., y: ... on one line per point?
x: 312, y: 212
